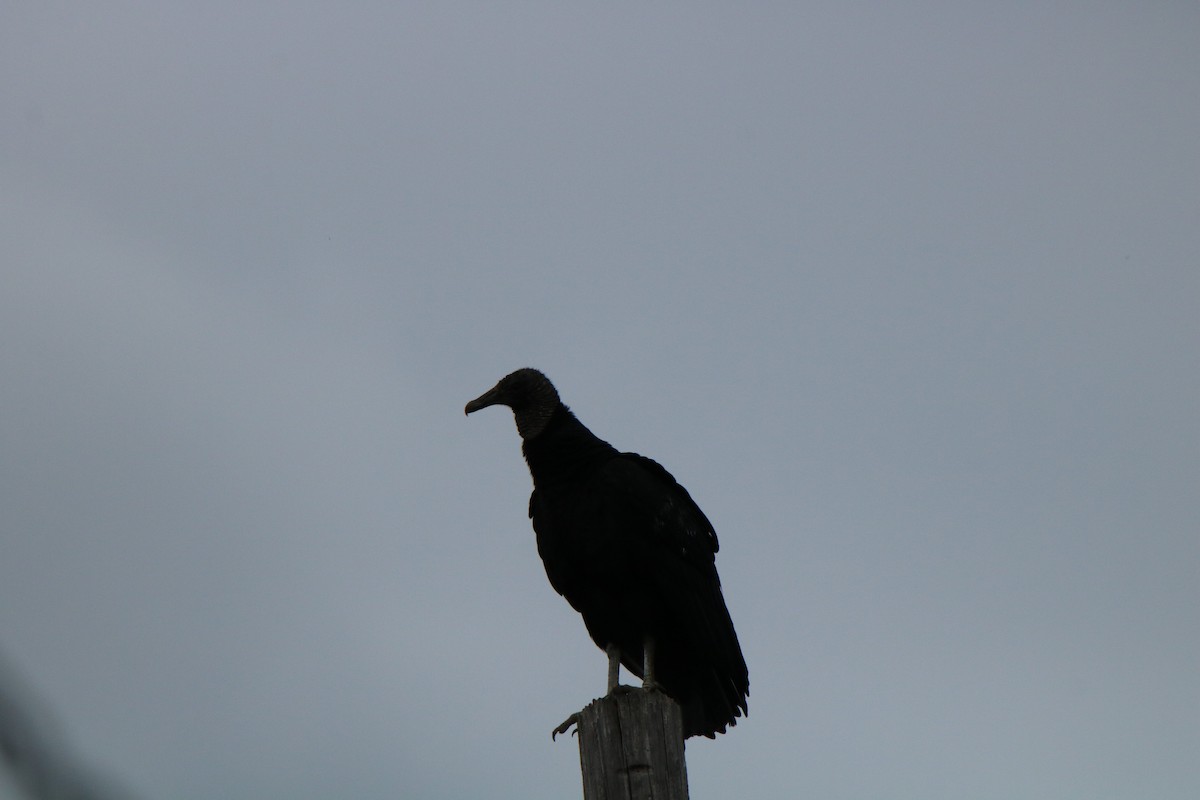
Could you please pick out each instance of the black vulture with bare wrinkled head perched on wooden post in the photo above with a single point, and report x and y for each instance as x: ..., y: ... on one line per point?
x: 633, y: 554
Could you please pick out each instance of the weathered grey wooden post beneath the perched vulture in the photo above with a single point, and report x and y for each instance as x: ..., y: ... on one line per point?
x: 632, y: 748
